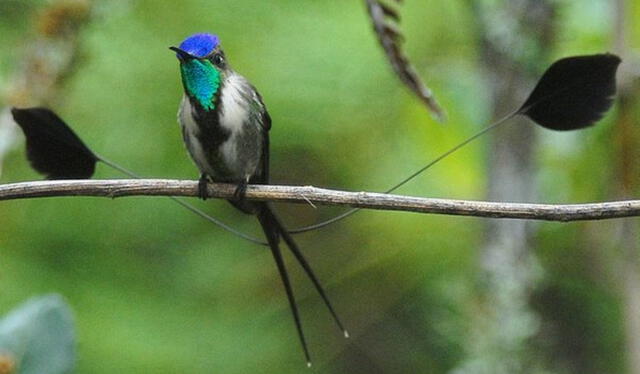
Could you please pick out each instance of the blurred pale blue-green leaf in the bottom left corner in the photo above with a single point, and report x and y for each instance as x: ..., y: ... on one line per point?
x: 39, y: 336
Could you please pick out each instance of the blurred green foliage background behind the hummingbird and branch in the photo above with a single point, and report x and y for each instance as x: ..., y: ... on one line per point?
x: 156, y: 289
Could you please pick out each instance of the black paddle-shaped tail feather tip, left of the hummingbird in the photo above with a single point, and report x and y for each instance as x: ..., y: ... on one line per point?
x: 53, y: 149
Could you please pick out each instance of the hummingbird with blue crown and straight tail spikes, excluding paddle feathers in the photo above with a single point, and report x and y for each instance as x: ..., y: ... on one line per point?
x: 225, y: 126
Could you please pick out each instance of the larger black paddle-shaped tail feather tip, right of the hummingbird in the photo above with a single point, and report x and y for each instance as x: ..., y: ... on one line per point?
x: 574, y: 93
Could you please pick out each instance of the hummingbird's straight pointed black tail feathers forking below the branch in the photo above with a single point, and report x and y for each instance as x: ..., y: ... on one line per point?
x: 273, y: 230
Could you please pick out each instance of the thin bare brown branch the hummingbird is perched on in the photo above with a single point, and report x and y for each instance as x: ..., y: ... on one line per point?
x: 306, y: 194
